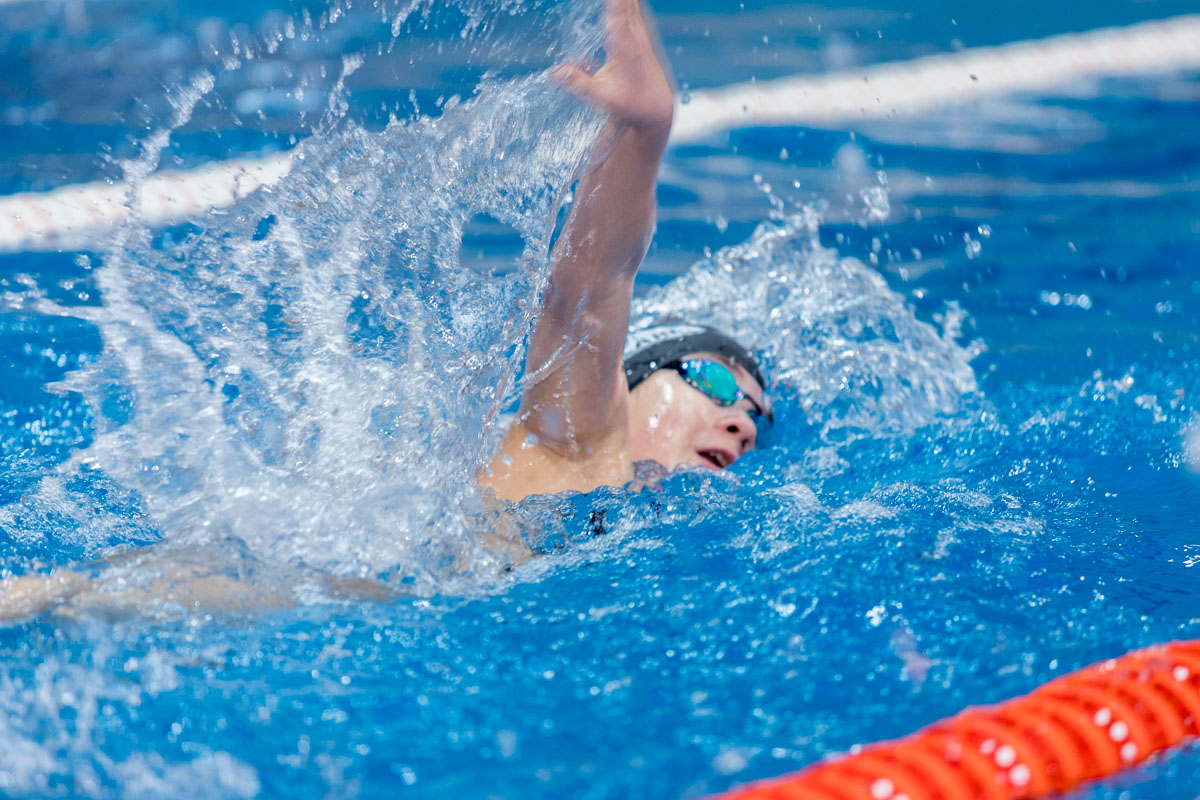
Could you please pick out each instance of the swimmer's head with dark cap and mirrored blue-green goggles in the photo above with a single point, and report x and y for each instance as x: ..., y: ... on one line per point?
x: 697, y: 396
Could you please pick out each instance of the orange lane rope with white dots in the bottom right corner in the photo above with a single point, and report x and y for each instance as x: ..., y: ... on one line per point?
x: 1072, y: 730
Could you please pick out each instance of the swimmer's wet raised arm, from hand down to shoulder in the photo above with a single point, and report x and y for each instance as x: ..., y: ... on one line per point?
x: 578, y: 410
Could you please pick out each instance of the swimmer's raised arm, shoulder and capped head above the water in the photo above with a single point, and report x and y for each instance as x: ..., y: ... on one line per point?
x: 598, y: 401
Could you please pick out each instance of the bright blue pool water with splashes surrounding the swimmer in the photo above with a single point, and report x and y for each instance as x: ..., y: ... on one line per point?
x: 986, y: 472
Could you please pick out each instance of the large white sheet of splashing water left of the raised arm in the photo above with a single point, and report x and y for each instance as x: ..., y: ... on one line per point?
x: 315, y: 375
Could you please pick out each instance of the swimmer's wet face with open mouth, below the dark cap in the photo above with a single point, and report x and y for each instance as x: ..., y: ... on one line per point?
x: 676, y: 425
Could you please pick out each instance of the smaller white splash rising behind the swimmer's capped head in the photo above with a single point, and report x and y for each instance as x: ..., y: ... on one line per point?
x: 836, y: 338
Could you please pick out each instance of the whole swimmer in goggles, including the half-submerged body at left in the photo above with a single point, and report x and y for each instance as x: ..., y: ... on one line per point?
x: 598, y: 400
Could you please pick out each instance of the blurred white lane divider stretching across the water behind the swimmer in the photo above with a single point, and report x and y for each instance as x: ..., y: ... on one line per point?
x: 73, y: 216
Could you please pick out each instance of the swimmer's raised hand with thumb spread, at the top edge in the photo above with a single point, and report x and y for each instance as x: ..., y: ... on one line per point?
x: 633, y: 87
